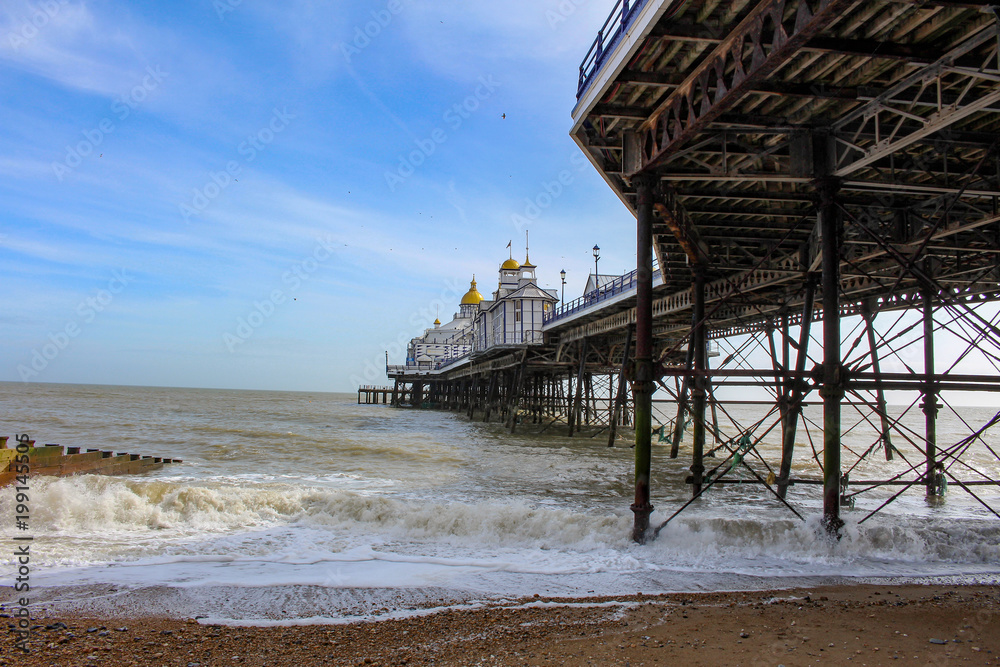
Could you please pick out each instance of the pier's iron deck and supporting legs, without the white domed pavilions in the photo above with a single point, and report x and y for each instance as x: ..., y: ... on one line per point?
x: 816, y: 187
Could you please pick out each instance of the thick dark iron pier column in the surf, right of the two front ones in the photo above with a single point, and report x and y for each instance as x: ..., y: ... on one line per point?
x: 832, y: 390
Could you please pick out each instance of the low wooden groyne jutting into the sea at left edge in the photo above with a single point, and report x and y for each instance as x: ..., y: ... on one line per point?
x: 59, y: 461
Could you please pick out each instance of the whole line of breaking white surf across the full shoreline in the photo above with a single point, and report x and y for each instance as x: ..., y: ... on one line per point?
x: 92, y: 508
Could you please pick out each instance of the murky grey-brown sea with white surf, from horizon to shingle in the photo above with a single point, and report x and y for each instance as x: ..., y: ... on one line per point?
x: 306, y: 507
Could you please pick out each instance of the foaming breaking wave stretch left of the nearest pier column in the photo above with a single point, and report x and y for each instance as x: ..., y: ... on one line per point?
x: 91, y: 504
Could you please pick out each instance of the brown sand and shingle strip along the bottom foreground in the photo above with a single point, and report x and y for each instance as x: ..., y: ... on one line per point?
x: 845, y: 625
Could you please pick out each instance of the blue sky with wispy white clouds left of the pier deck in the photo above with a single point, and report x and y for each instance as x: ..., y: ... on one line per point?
x: 250, y: 194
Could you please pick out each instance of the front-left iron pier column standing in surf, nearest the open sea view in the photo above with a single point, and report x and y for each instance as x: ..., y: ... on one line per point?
x: 642, y: 389
